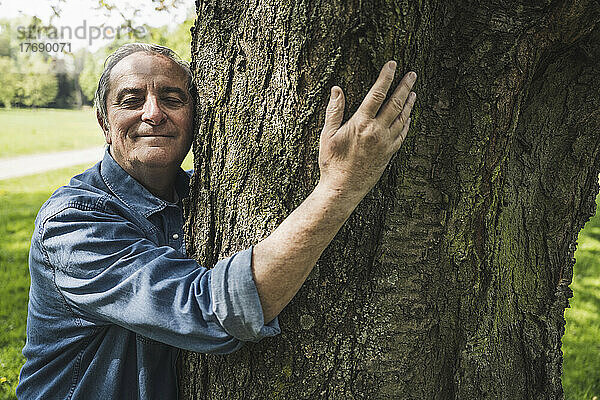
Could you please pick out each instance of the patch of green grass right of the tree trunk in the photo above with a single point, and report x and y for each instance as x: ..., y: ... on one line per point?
x: 581, y: 343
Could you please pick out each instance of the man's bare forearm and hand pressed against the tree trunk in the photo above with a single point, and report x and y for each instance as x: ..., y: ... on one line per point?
x: 352, y: 158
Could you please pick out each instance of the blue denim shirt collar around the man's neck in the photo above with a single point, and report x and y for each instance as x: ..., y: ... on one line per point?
x: 133, y: 193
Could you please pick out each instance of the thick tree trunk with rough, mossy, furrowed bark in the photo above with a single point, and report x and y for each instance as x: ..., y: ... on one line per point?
x: 450, y: 279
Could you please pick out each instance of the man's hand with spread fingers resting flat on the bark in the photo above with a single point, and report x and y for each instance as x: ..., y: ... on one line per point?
x: 353, y: 156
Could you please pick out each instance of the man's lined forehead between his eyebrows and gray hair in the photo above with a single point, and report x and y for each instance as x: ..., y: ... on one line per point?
x: 142, y: 69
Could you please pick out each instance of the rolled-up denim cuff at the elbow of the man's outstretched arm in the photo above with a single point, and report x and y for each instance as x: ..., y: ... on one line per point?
x: 235, y: 299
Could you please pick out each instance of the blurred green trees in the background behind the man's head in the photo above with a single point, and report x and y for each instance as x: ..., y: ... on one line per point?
x: 39, y: 79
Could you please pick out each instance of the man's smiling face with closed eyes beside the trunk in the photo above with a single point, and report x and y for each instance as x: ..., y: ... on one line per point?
x: 149, y: 112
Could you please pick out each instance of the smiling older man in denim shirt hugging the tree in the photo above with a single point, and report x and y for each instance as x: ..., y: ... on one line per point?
x: 113, y: 296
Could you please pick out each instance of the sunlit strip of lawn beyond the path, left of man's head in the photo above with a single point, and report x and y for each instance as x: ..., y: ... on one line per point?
x: 43, y: 130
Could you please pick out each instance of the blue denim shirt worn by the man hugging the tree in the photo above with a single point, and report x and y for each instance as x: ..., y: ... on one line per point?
x: 113, y: 296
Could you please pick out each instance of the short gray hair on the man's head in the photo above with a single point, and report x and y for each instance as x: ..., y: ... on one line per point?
x: 124, y: 51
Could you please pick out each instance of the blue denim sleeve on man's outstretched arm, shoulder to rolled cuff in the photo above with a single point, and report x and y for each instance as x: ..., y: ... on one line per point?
x: 109, y: 272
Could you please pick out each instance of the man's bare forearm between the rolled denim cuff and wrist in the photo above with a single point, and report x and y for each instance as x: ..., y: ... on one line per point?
x: 282, y: 261
